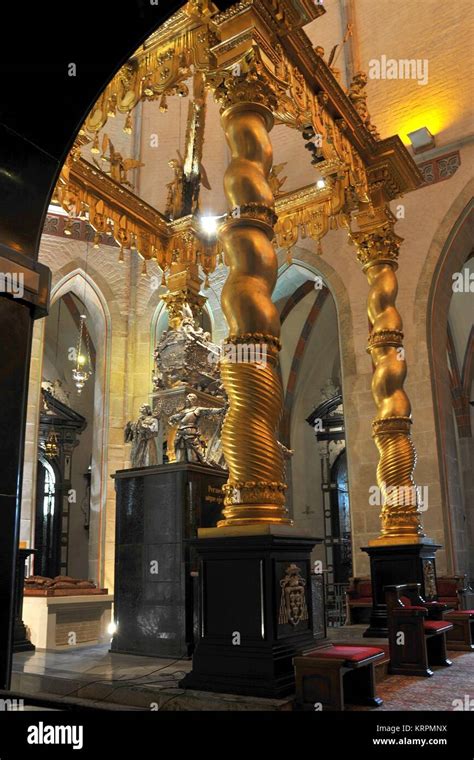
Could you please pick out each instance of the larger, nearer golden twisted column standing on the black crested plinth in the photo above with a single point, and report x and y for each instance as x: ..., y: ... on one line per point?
x: 255, y: 491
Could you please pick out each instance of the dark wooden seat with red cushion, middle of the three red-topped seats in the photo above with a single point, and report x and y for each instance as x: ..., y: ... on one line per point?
x: 415, y: 641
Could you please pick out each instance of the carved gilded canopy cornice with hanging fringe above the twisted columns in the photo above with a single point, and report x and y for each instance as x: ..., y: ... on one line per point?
x: 256, y: 51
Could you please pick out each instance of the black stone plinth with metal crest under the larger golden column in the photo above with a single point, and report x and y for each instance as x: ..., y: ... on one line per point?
x: 244, y: 647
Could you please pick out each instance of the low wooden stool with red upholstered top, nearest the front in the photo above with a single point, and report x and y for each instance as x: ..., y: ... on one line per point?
x: 328, y: 678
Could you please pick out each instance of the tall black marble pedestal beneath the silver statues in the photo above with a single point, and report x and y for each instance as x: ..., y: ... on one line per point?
x: 158, y: 508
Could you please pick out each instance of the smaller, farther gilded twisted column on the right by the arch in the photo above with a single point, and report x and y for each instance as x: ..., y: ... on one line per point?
x: 378, y: 252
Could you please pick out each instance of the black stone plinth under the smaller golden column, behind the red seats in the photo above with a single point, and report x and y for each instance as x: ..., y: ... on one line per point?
x: 397, y: 564
